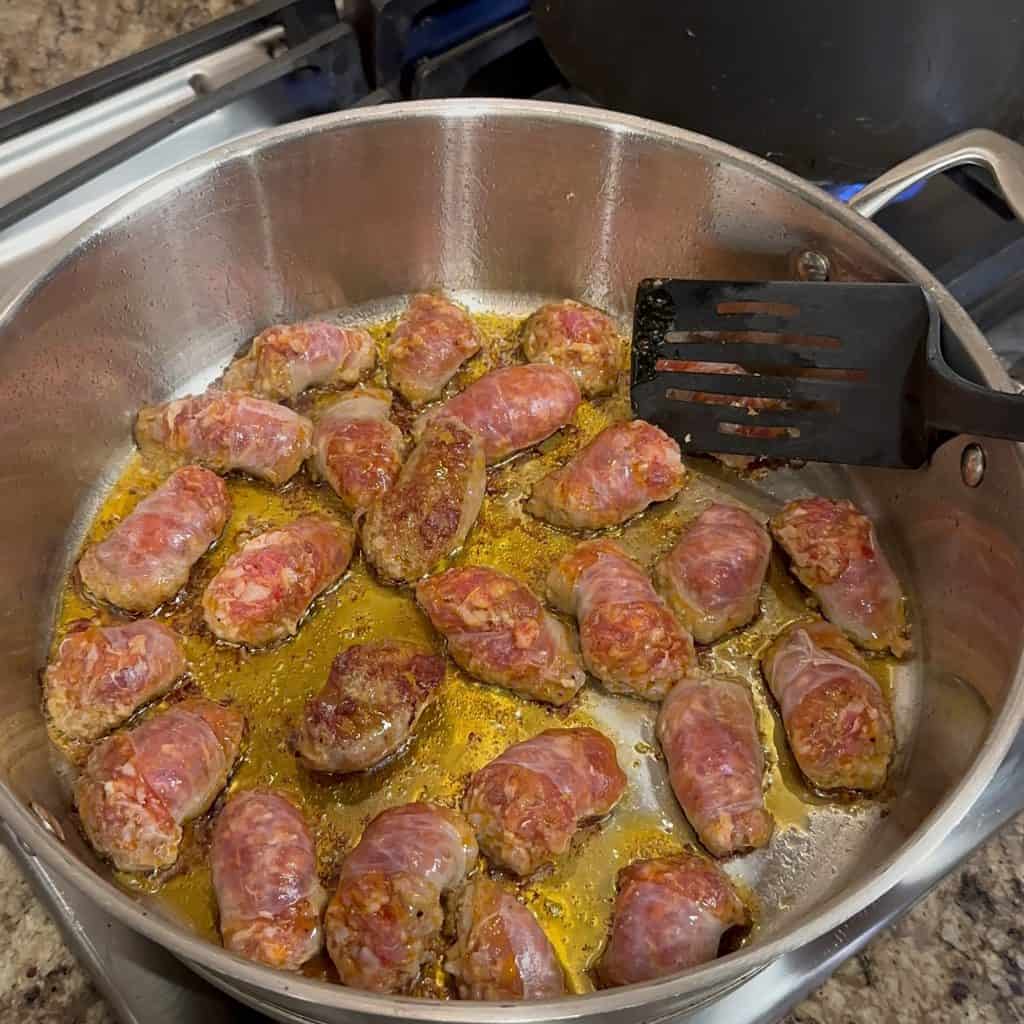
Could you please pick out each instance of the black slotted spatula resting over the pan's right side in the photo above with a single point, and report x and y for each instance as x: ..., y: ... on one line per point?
x: 852, y: 373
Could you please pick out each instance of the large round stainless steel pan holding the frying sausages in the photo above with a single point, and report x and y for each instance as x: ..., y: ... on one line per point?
x: 501, y: 202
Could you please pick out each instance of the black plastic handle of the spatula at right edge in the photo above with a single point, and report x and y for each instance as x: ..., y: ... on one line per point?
x: 962, y: 407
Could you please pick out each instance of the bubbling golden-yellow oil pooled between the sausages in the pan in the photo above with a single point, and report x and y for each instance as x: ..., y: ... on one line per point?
x: 471, y: 723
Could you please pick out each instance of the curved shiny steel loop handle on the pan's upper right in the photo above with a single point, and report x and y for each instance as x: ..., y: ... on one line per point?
x: 1003, y: 158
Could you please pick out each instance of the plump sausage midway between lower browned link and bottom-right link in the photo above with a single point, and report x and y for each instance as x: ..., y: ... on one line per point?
x: 527, y: 804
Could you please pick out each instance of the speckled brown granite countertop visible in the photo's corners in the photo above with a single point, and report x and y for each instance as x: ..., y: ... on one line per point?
x: 957, y: 959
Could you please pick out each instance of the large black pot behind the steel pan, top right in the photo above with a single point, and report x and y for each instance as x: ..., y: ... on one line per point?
x: 835, y: 92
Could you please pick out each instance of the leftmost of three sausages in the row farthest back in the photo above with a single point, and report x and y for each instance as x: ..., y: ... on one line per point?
x: 286, y: 360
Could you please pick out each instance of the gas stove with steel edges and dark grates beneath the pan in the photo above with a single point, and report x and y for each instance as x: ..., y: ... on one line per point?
x: 70, y: 152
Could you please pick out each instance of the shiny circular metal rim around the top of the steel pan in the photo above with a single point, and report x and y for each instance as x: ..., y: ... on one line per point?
x: 215, y: 960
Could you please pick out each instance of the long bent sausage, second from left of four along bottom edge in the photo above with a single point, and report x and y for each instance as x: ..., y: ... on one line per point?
x: 388, y: 911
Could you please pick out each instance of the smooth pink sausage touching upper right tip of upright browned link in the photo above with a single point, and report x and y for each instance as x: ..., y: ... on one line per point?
x: 513, y: 409
